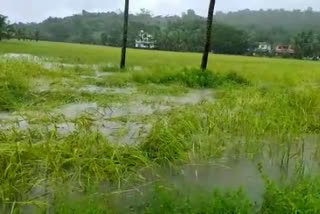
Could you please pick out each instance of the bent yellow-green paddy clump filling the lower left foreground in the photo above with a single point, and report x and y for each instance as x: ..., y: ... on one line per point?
x: 33, y: 170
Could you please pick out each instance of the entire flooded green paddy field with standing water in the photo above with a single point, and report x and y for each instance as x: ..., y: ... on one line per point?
x: 83, y: 137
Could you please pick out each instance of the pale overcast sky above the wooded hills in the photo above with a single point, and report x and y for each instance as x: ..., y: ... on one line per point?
x: 38, y: 10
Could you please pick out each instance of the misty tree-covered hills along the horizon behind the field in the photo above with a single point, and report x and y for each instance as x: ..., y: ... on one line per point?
x: 178, y: 32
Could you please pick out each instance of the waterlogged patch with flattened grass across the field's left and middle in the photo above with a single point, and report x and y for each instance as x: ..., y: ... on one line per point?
x: 126, y: 119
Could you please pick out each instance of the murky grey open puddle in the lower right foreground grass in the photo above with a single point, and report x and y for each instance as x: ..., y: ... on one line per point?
x: 223, y: 175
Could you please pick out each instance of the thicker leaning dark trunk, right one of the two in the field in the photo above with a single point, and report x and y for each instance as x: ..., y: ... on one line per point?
x: 207, y: 46
